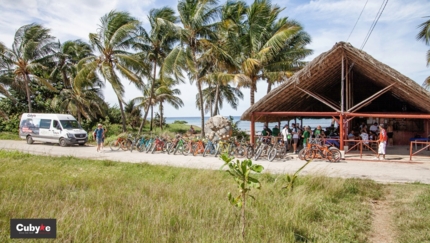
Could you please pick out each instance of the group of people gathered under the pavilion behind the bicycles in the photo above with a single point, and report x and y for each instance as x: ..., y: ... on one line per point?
x: 295, y: 136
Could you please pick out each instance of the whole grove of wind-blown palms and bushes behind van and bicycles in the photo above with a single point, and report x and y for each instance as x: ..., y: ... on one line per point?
x: 222, y: 49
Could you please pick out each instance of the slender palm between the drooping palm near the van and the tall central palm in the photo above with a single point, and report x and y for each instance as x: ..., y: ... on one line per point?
x: 156, y: 45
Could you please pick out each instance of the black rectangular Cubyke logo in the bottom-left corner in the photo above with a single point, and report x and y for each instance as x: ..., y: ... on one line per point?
x: 33, y: 228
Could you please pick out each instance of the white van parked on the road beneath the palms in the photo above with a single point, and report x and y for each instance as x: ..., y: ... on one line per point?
x: 53, y: 128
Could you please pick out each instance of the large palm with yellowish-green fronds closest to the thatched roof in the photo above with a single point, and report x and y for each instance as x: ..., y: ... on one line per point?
x: 261, y: 42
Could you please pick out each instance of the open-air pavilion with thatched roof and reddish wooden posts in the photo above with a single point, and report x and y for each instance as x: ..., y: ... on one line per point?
x: 350, y: 86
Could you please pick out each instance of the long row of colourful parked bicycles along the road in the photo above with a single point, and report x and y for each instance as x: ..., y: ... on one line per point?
x: 269, y: 147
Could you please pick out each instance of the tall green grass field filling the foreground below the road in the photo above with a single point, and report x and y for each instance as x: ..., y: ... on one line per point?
x: 105, y: 201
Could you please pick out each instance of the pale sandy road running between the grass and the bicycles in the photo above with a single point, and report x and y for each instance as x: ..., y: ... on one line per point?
x: 381, y: 171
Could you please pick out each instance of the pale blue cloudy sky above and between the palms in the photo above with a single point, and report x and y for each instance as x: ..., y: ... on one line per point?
x: 392, y: 42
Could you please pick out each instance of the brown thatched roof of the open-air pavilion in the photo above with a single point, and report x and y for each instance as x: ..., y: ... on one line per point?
x: 322, y: 76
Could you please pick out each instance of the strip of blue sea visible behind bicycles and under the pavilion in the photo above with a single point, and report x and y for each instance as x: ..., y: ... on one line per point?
x: 246, y: 125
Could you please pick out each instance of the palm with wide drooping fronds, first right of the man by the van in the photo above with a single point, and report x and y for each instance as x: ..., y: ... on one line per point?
x: 117, y: 33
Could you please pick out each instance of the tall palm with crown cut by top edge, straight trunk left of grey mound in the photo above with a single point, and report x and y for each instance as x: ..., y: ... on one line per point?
x: 198, y: 24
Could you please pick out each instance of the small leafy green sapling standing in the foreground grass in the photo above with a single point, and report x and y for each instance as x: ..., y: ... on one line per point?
x: 241, y: 172
